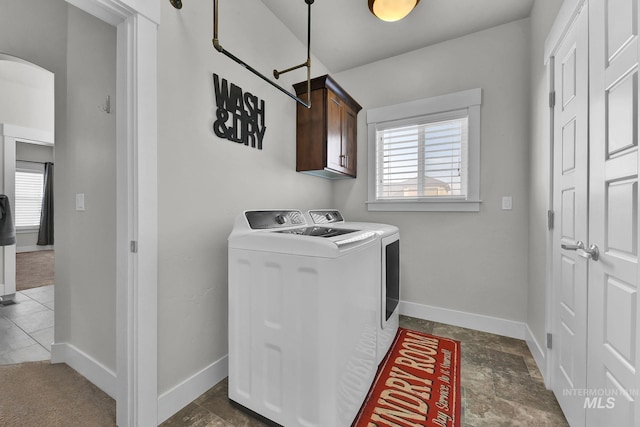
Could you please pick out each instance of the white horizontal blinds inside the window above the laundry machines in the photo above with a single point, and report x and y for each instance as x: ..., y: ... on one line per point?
x: 423, y: 158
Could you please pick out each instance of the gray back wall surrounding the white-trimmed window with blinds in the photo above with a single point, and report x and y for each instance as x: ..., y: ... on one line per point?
x: 470, y: 262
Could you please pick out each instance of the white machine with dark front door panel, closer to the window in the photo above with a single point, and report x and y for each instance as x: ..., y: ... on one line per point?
x: 389, y: 279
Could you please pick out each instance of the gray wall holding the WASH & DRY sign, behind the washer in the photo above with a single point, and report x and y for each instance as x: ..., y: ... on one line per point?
x: 204, y: 182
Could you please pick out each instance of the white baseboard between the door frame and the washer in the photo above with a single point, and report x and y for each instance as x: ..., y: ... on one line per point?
x: 187, y: 391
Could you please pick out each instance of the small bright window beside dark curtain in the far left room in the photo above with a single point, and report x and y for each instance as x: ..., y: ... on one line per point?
x: 29, y: 192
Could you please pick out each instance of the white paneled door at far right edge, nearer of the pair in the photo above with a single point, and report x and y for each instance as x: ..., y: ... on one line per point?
x: 613, y: 214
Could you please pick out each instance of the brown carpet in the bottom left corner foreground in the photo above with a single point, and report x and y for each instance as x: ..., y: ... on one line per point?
x: 42, y: 394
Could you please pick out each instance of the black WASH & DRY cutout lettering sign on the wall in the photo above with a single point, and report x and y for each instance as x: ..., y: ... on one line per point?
x: 240, y: 116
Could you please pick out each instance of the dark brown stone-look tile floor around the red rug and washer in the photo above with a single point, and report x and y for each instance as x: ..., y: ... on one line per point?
x: 501, y: 386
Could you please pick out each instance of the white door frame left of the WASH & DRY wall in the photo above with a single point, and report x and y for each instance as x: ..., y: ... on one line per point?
x: 136, y: 23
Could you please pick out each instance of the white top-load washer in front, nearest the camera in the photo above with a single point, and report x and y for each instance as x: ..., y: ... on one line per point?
x: 303, y: 318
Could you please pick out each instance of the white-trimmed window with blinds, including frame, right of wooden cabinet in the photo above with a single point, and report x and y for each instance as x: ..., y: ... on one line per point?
x: 424, y: 155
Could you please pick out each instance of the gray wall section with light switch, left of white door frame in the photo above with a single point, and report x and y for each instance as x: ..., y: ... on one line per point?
x: 85, y: 163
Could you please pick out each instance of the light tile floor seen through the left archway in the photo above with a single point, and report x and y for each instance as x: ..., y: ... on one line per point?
x: 26, y: 328
